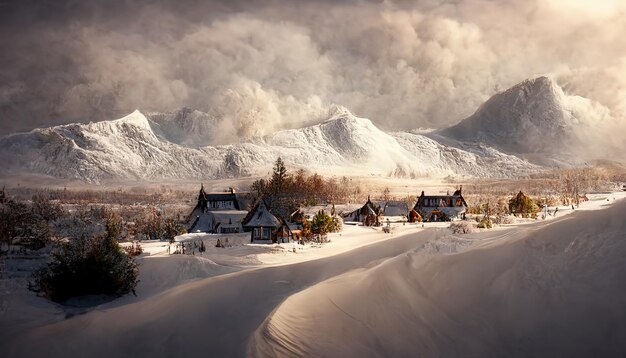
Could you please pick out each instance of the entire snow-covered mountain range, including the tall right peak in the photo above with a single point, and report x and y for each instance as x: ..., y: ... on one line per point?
x: 516, y: 132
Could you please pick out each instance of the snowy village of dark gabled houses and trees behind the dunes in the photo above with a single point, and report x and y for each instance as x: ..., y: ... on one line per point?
x: 231, y: 219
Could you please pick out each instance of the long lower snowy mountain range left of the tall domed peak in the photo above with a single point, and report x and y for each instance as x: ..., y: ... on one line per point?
x: 136, y: 147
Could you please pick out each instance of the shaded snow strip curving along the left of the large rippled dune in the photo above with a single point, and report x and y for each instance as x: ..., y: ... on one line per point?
x: 214, y: 316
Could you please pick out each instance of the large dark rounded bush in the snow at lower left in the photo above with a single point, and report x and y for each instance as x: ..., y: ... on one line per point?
x: 87, y: 267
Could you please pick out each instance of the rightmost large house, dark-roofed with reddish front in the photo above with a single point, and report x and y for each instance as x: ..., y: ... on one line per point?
x: 441, y: 207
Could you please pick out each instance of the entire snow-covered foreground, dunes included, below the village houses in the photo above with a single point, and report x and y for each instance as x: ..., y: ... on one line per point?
x: 415, y: 291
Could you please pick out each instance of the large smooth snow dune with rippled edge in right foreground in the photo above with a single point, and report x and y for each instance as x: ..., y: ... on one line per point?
x: 547, y: 290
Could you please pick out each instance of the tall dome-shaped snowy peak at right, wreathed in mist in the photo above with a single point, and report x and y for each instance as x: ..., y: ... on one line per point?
x: 533, y: 117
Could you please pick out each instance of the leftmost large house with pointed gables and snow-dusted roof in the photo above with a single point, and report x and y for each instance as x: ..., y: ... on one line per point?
x: 217, y: 213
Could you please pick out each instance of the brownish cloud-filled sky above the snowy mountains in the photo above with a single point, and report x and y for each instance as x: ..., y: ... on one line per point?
x: 272, y: 64
